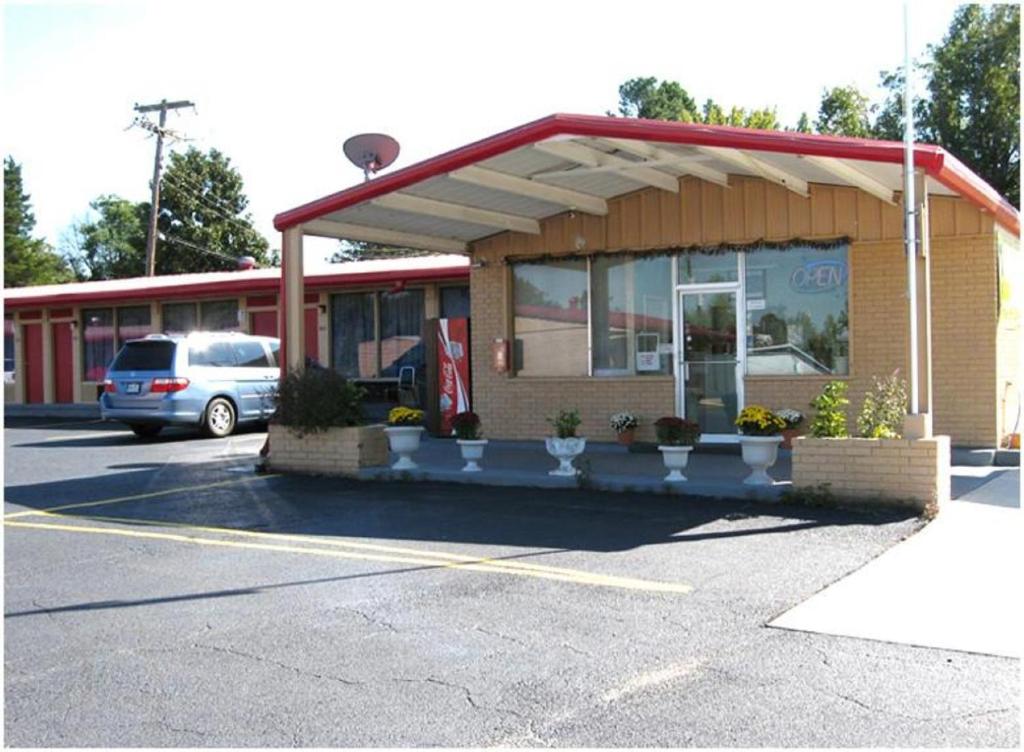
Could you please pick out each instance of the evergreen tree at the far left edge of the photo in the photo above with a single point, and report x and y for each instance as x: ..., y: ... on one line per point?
x: 27, y: 261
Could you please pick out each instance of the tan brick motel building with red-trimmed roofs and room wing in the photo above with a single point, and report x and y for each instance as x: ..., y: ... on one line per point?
x: 616, y: 265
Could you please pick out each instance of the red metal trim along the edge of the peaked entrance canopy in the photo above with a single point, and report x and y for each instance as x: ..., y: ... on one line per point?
x: 936, y: 162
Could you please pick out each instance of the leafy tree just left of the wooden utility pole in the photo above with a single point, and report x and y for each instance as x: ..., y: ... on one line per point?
x: 113, y: 245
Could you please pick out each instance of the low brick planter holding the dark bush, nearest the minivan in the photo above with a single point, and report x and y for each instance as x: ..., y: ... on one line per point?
x: 334, y: 452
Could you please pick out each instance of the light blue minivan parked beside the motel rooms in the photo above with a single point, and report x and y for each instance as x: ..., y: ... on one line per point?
x: 212, y: 381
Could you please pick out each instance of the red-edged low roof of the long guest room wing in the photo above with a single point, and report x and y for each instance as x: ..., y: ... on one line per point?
x: 376, y: 272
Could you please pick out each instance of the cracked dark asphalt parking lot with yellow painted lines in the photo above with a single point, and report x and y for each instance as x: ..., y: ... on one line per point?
x: 160, y: 594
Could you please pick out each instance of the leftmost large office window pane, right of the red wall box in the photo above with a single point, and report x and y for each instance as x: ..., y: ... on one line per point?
x: 550, y: 319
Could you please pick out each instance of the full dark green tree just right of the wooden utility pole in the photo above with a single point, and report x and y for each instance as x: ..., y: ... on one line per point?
x: 203, y: 222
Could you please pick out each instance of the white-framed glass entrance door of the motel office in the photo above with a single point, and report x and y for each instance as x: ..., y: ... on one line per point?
x: 711, y: 383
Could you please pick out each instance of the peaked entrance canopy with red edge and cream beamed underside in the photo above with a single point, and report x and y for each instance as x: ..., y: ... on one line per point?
x: 515, y: 180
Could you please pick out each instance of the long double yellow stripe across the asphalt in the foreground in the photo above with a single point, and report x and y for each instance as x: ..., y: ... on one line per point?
x: 387, y: 555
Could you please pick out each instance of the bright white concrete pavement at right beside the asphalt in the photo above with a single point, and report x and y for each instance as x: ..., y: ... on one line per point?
x: 955, y: 586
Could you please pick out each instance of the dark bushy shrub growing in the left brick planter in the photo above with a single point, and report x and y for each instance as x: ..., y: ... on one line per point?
x: 317, y: 399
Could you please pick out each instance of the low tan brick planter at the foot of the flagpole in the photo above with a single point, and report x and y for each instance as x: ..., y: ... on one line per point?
x: 908, y: 472
